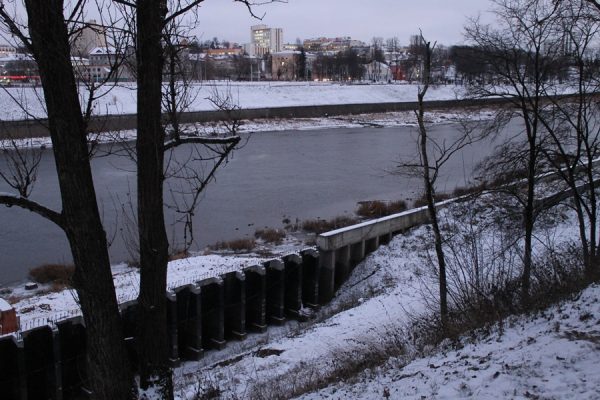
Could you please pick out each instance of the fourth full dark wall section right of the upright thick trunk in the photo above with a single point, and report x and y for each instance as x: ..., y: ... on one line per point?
x: 256, y: 298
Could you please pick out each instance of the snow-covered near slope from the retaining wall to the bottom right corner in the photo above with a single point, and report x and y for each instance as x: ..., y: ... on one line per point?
x: 550, y: 355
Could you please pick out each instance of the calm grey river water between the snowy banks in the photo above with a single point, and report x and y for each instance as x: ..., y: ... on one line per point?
x: 276, y: 175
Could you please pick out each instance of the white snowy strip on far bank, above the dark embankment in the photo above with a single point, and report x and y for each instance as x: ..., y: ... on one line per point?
x: 121, y: 99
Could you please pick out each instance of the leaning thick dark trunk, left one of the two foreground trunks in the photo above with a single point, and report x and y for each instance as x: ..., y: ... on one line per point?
x: 109, y: 370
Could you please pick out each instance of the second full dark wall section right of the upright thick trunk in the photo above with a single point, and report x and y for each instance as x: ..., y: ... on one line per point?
x: 213, y: 324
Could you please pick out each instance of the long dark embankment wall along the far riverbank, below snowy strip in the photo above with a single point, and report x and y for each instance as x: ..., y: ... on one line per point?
x: 38, y: 128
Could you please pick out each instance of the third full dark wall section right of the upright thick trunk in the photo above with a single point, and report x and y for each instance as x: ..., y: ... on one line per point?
x: 235, y: 305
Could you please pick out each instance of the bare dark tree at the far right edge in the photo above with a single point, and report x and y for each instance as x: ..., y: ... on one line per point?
x: 573, y: 124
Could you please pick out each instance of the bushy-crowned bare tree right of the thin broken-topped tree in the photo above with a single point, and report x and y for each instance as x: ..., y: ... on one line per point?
x: 520, y: 51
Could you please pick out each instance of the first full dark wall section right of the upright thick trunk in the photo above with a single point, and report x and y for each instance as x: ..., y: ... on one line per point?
x: 189, y: 322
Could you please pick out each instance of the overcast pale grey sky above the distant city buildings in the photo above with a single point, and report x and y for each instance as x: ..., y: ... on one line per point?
x: 440, y: 20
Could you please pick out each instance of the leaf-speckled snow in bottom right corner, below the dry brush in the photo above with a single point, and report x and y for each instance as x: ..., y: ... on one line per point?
x: 553, y: 354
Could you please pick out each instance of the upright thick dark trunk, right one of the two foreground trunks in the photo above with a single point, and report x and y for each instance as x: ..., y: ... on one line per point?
x: 154, y: 246
